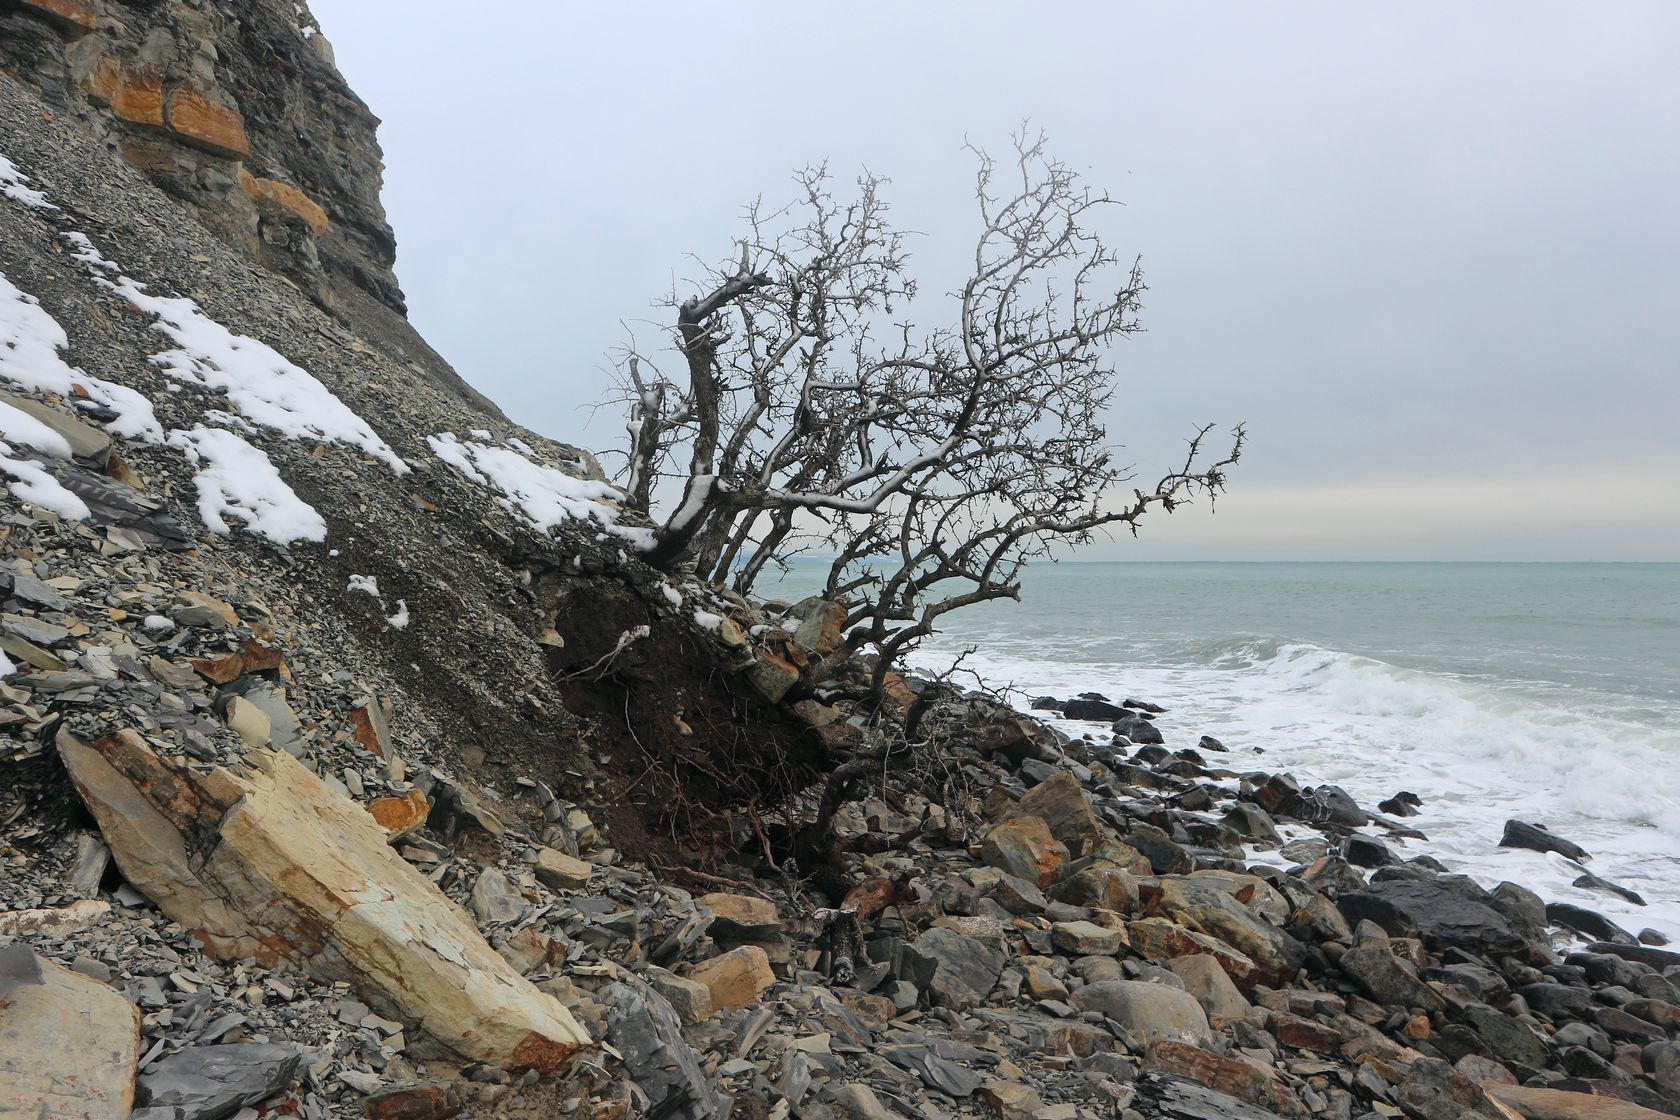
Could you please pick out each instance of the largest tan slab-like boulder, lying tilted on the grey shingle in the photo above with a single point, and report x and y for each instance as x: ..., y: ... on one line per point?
x: 265, y: 861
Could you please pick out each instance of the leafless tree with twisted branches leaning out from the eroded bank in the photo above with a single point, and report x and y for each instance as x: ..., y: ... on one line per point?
x: 933, y: 464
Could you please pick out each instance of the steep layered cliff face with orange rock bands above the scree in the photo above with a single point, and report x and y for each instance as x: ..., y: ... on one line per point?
x: 236, y: 110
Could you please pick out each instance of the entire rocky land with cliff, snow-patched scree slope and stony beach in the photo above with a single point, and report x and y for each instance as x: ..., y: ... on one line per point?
x: 354, y: 765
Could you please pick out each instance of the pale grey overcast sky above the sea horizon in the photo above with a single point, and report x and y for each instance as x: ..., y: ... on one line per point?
x: 1429, y: 253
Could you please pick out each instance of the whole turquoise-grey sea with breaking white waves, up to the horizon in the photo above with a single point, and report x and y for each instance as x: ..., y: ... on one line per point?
x: 1541, y: 693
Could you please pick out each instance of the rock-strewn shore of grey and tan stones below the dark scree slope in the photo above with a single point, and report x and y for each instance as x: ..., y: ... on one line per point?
x: 1063, y: 928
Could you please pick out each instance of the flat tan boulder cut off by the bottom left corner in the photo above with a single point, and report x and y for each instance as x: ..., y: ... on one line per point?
x: 68, y: 1044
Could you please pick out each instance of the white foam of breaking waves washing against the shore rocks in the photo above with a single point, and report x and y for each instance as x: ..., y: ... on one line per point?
x: 1478, y: 755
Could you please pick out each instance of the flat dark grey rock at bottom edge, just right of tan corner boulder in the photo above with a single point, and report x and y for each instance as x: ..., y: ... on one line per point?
x: 214, y: 1082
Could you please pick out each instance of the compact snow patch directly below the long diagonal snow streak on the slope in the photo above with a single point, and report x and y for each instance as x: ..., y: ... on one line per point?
x: 238, y: 481
